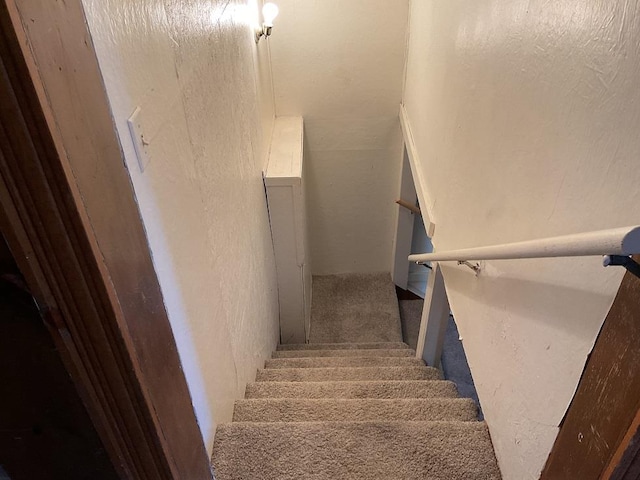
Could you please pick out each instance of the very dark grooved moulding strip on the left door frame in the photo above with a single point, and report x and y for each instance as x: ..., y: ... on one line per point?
x: 43, y: 214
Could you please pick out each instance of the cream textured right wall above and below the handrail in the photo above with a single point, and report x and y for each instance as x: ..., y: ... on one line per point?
x: 525, y: 115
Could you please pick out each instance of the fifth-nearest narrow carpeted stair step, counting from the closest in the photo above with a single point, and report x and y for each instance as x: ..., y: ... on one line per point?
x: 323, y: 362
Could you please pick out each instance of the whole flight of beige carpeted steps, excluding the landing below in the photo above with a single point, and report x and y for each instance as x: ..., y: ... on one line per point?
x: 352, y: 411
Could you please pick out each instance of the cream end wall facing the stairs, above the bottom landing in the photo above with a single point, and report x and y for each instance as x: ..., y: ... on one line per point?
x: 339, y: 64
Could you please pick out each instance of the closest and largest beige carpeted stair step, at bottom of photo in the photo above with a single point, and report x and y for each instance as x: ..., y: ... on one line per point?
x: 354, y: 450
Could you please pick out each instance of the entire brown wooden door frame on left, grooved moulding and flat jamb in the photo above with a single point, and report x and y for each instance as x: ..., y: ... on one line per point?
x: 90, y: 271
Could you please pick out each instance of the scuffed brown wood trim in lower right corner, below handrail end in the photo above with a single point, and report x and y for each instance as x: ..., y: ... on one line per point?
x: 608, y: 395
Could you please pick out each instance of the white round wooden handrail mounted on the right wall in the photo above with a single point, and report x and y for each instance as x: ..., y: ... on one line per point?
x: 616, y: 241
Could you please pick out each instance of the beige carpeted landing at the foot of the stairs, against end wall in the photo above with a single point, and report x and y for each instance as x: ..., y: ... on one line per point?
x: 354, y: 308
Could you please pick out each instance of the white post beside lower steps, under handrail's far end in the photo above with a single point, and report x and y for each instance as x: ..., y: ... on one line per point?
x: 435, y: 317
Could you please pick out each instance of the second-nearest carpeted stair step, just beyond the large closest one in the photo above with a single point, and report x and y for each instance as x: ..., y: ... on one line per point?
x: 358, y: 410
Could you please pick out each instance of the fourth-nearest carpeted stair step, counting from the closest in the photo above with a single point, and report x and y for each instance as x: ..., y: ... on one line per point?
x: 347, y: 374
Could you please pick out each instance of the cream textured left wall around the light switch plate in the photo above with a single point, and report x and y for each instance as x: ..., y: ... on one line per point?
x: 207, y: 111
